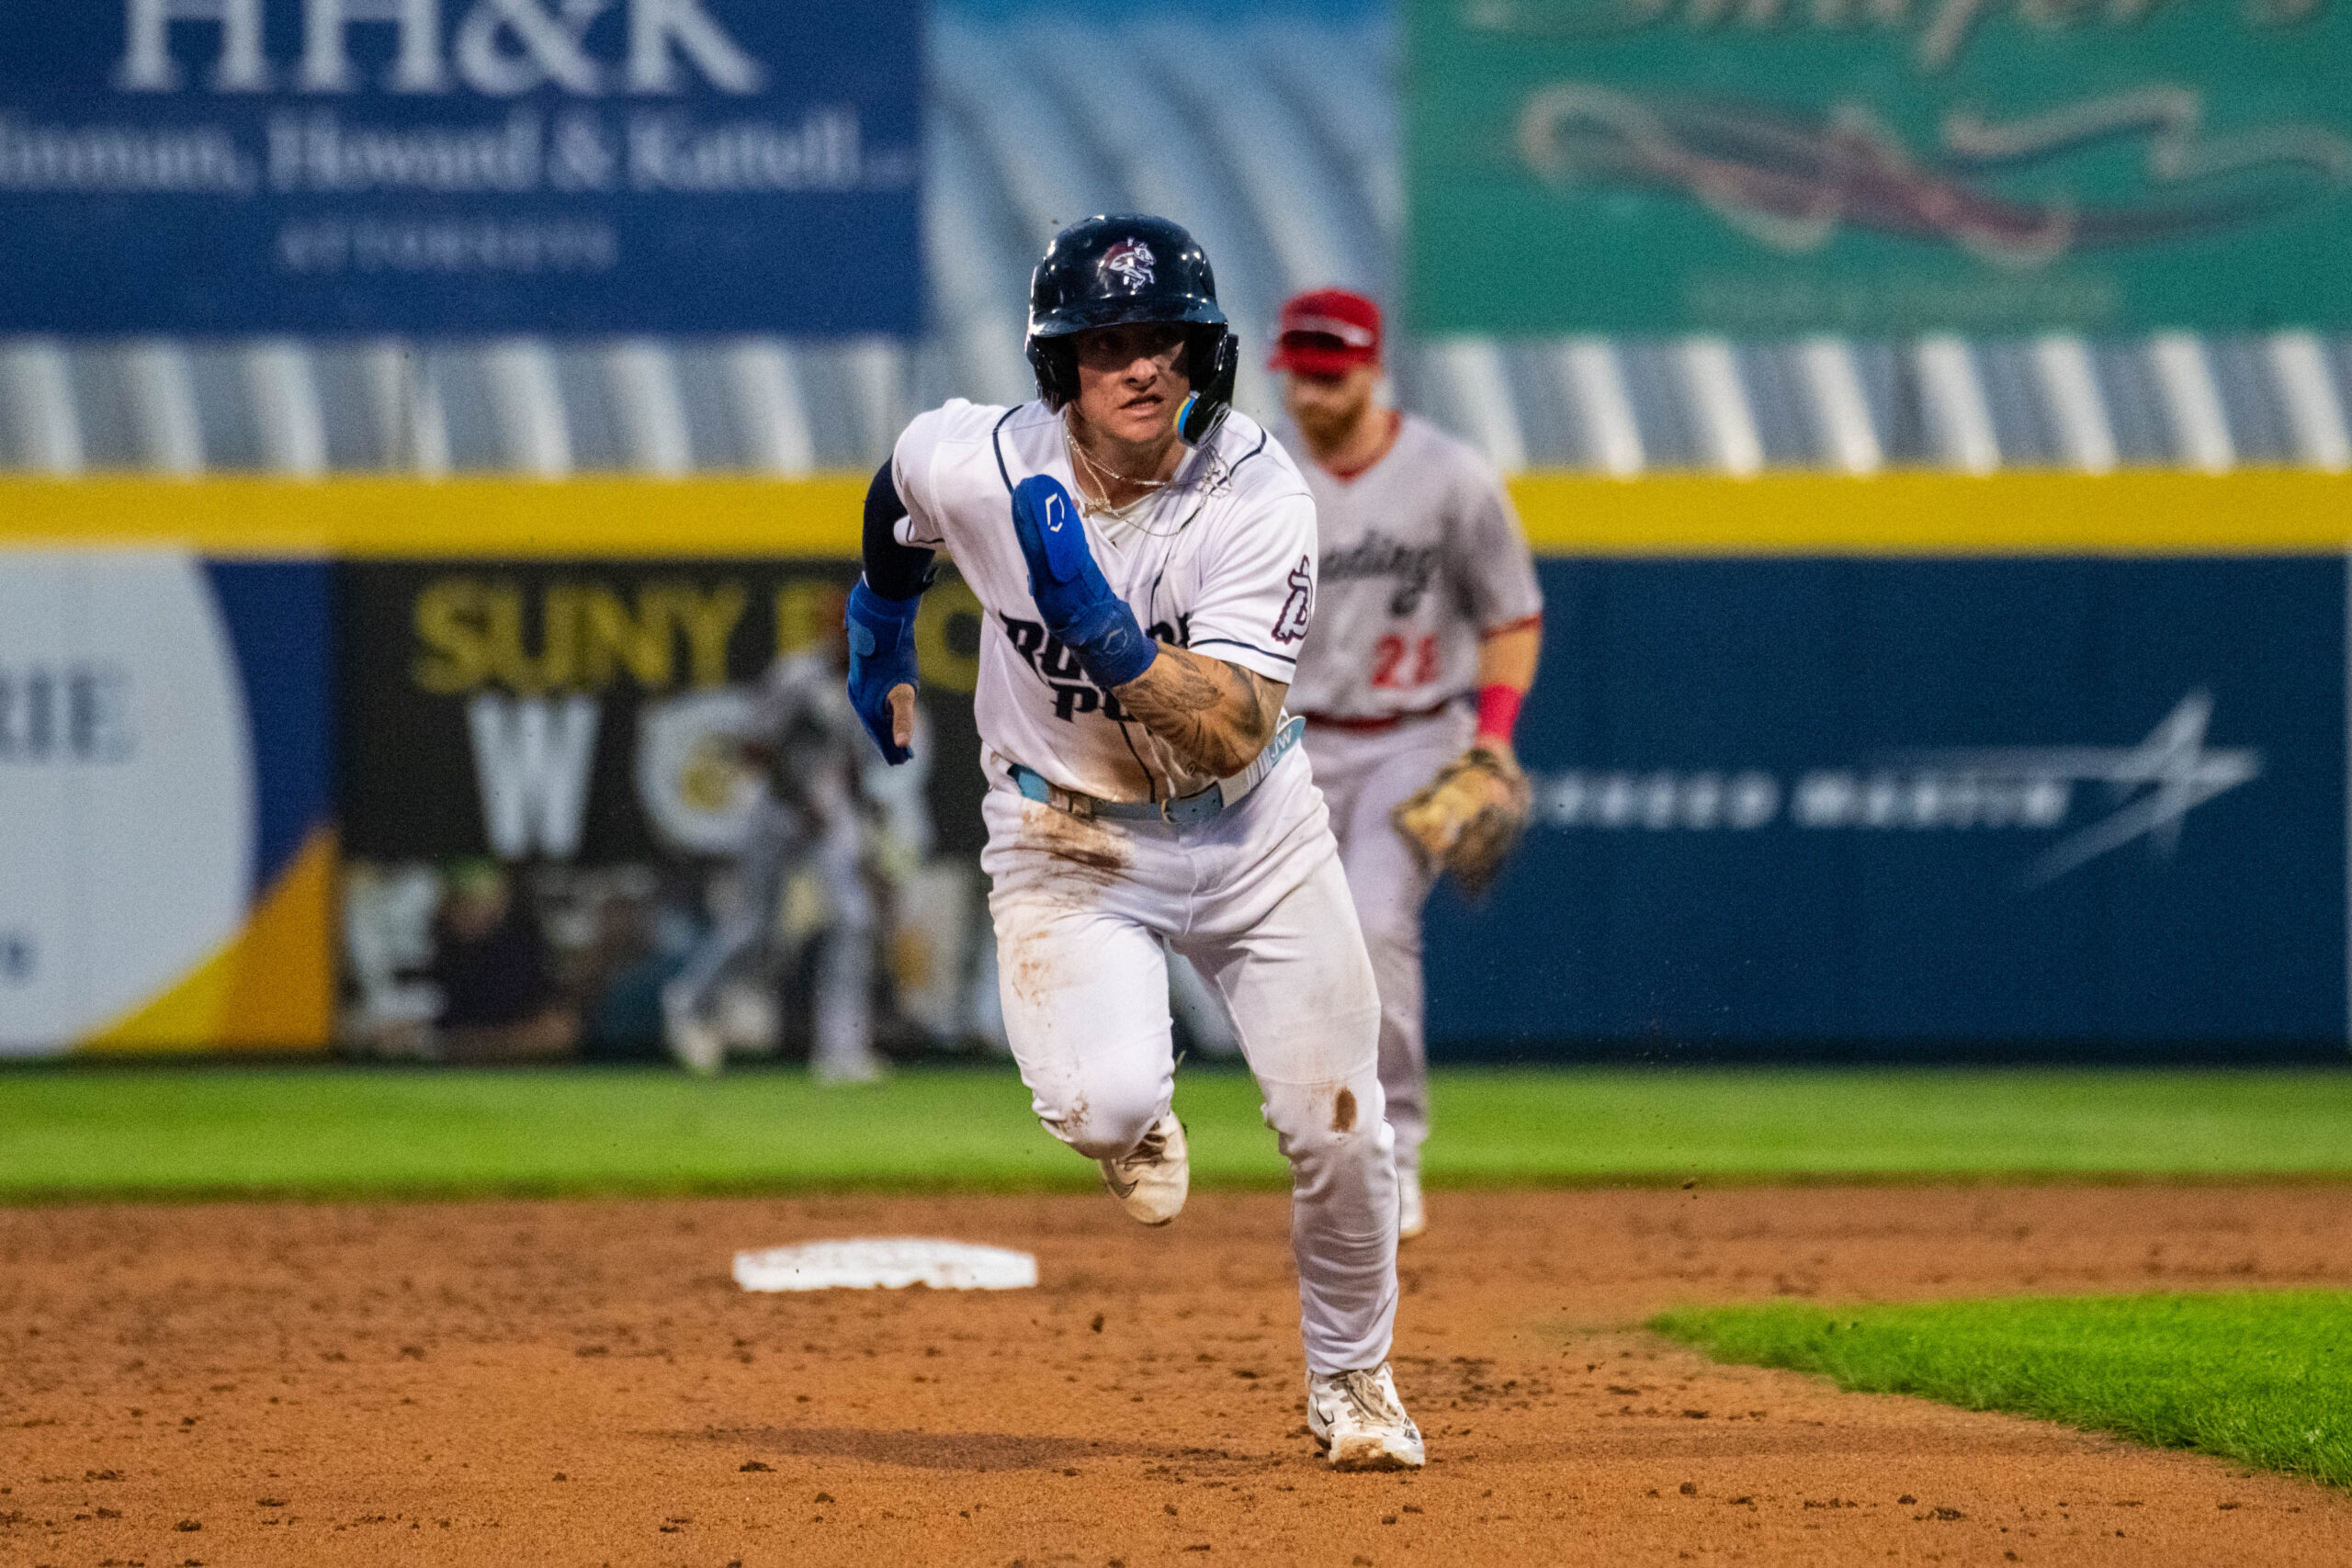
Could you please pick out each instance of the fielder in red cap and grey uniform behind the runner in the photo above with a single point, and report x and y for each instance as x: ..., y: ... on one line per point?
x: 1424, y: 648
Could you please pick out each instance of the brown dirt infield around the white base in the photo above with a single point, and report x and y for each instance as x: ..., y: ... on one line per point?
x: 281, y: 1386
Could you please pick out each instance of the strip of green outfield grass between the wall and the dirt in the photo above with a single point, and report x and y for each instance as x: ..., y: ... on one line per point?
x: 159, y: 1132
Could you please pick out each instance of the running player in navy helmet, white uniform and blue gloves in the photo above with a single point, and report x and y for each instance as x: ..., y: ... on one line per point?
x: 1147, y: 568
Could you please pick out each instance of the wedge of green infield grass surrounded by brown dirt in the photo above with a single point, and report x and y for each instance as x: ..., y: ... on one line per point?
x: 2264, y: 1379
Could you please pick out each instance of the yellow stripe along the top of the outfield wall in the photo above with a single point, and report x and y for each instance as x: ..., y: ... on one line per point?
x: 1664, y: 516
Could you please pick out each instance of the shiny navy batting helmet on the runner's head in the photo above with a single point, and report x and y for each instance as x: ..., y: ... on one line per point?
x: 1132, y: 269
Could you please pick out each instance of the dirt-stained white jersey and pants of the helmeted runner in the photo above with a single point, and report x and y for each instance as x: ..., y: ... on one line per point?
x: 1085, y: 909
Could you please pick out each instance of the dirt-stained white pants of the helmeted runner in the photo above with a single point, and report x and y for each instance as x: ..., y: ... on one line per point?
x: 1259, y: 904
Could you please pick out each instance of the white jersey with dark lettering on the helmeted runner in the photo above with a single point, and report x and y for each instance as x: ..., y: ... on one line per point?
x: 1222, y: 563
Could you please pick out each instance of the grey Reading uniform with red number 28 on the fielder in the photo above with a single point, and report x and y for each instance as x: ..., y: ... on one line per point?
x: 1422, y: 558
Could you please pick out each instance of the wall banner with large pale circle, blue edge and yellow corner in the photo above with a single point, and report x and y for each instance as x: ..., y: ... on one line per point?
x: 166, y: 803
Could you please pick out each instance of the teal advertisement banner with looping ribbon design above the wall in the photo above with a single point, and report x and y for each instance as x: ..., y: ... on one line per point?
x: 1878, y: 166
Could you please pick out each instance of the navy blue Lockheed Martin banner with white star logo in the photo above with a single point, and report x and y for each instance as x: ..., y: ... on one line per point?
x: 1923, y: 805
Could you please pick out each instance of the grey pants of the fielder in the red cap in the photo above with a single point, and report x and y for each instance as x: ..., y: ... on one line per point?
x: 1363, y: 779
